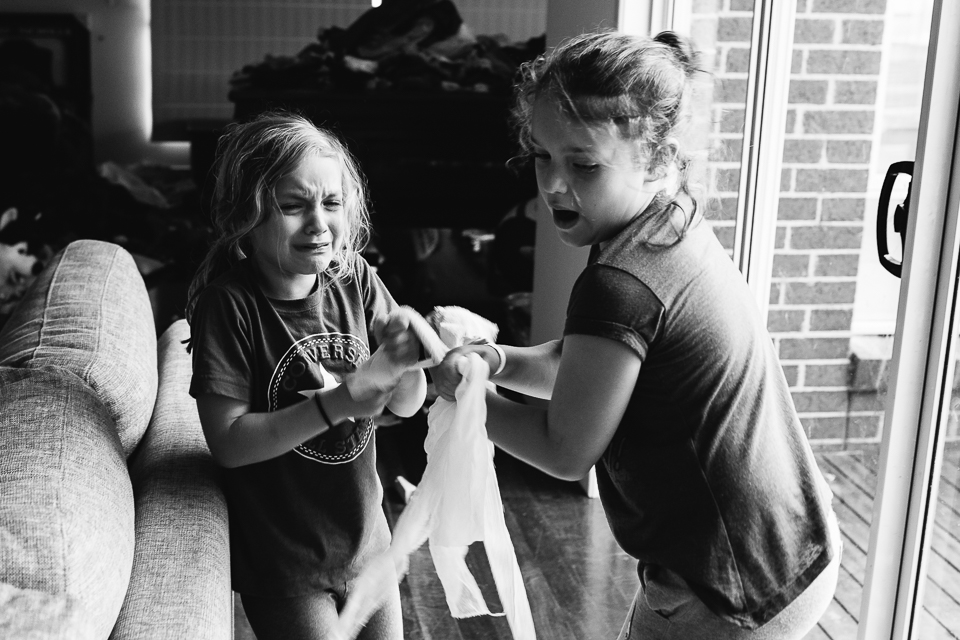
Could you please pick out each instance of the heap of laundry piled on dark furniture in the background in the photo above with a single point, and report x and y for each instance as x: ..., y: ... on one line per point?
x: 402, y: 45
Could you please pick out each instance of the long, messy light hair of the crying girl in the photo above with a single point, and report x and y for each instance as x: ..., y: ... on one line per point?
x: 252, y: 157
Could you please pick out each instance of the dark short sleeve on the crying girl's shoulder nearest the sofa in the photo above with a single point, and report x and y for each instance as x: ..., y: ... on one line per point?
x: 222, y: 352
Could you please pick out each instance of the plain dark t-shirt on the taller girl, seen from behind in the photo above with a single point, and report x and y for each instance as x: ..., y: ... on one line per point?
x: 709, y: 473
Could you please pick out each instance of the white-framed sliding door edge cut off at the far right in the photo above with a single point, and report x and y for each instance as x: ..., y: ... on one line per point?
x: 921, y: 451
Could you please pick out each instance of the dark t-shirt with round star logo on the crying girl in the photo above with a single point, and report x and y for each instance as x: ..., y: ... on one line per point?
x: 310, y: 518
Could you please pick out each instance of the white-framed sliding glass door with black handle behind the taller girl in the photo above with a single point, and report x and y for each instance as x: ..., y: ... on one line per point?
x: 818, y: 110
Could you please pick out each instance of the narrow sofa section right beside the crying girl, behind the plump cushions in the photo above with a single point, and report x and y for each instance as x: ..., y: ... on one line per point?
x: 180, y: 586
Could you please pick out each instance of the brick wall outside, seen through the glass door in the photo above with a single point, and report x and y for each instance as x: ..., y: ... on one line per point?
x: 830, y: 136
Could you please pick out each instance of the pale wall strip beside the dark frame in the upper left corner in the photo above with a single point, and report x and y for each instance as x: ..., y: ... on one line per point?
x: 120, y: 70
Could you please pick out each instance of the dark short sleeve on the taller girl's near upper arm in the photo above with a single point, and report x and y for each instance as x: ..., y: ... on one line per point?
x: 610, y: 303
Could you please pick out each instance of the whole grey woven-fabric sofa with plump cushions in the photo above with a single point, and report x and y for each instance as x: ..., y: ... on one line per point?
x: 112, y: 519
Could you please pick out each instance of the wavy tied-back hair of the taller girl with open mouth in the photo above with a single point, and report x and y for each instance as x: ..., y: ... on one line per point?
x: 643, y: 87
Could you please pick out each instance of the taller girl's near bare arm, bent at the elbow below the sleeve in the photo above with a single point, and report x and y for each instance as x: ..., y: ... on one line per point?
x: 594, y: 383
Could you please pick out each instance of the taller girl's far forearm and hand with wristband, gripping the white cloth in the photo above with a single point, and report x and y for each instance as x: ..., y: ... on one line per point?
x: 531, y: 371
